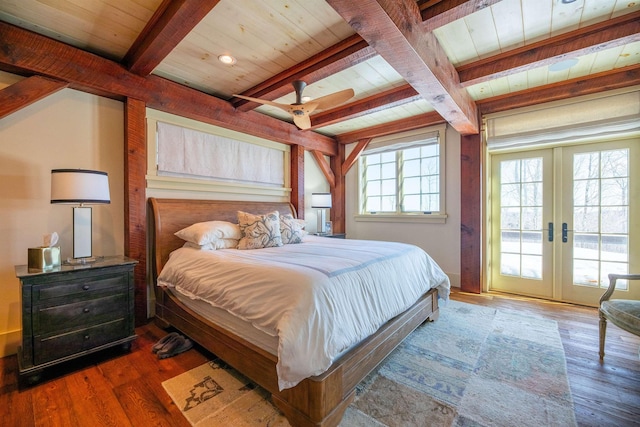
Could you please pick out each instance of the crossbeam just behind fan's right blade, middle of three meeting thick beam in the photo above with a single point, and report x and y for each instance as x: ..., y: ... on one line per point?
x: 378, y: 102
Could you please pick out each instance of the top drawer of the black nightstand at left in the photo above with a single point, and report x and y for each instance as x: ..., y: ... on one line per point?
x: 87, y: 288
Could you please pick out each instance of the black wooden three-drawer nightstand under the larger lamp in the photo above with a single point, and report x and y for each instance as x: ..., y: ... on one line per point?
x: 73, y: 310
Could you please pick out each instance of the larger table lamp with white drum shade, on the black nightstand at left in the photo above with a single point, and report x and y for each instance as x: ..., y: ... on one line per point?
x: 81, y: 187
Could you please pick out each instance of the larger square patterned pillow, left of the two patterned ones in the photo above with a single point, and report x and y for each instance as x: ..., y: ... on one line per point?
x: 259, y: 231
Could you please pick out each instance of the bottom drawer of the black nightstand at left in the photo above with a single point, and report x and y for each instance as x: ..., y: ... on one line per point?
x: 55, y: 347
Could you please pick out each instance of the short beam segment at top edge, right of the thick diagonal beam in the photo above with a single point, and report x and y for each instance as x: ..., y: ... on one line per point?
x: 441, y: 13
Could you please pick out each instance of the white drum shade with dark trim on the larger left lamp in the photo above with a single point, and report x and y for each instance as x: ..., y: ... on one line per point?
x: 75, y: 186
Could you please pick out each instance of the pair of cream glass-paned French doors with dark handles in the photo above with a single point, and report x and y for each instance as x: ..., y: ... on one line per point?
x: 563, y: 218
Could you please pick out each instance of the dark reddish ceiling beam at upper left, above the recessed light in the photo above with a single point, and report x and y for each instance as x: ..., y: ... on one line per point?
x: 171, y: 23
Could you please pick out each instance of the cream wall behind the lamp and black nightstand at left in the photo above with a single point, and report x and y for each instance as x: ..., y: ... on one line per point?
x: 69, y: 129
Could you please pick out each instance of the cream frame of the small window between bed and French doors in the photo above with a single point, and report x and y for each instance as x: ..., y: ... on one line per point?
x: 396, y: 143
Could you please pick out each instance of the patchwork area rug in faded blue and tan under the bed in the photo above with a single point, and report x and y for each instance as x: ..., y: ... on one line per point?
x: 474, y: 366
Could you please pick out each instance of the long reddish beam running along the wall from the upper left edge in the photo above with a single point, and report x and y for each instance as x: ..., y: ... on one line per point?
x: 35, y: 54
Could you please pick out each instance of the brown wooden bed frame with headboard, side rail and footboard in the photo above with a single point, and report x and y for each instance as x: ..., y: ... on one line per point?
x: 316, y: 401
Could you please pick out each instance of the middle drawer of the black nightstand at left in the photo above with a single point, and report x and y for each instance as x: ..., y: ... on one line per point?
x: 51, y: 320
